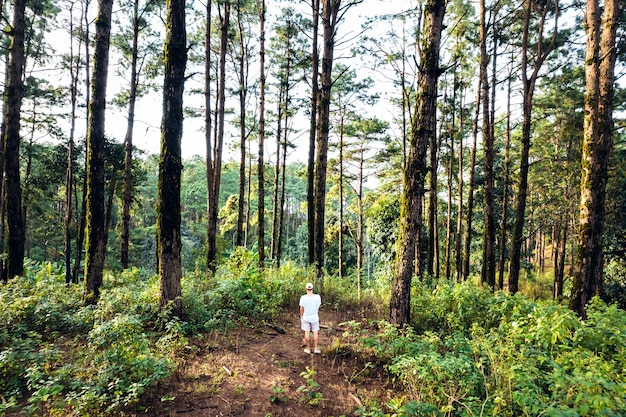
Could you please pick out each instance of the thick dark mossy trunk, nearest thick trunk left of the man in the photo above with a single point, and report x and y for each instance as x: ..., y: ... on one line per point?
x: 170, y: 164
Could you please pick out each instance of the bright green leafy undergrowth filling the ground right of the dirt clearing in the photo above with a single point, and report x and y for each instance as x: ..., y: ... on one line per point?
x: 472, y: 352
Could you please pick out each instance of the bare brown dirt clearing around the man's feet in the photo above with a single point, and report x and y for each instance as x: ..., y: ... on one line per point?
x: 257, y: 372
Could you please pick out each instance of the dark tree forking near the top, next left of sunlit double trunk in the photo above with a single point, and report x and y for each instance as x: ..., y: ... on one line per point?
x: 531, y: 60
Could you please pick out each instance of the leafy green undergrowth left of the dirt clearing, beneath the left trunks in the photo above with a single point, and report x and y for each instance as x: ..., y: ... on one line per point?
x: 65, y: 357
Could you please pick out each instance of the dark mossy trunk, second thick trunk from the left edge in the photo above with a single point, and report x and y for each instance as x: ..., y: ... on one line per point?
x: 95, y: 215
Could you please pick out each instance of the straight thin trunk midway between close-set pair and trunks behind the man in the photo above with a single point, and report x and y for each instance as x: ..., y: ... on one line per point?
x: 261, y: 163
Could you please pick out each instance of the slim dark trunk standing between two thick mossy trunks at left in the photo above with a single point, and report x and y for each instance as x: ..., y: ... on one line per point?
x: 128, y: 142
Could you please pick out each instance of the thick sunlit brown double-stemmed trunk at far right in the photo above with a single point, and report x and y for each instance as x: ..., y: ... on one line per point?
x: 596, y: 150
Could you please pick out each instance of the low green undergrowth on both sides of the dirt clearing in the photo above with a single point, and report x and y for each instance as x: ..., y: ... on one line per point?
x: 469, y: 352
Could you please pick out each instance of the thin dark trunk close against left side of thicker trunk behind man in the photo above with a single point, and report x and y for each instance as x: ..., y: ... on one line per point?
x: 310, y: 188
